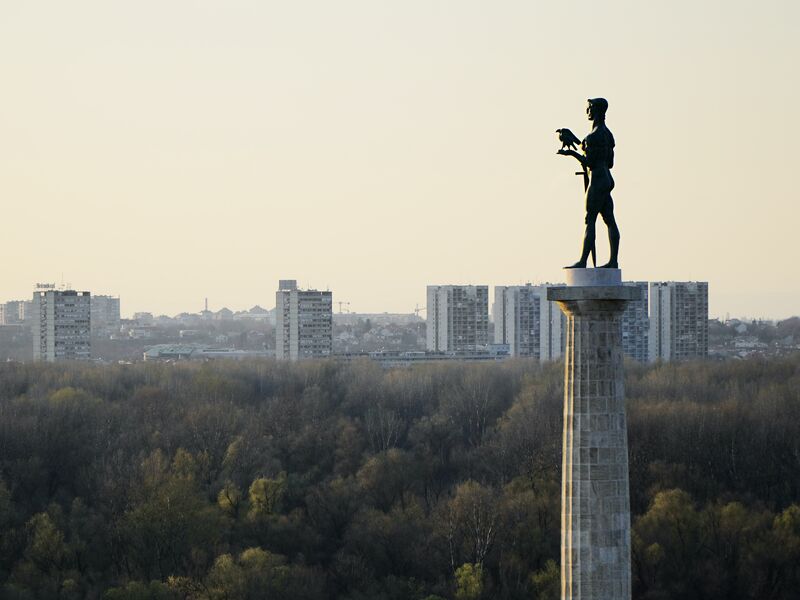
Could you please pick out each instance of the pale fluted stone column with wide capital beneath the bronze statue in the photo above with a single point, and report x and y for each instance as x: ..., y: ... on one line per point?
x: 595, y: 502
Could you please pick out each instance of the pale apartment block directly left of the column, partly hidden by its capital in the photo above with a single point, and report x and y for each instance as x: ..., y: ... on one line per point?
x: 528, y: 322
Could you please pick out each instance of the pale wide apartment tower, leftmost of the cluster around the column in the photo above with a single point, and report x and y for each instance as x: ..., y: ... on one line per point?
x: 458, y: 318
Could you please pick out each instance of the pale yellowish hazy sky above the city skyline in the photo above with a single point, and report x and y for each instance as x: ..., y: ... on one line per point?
x: 173, y: 150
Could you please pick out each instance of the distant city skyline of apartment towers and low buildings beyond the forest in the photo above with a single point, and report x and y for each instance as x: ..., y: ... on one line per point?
x: 673, y: 324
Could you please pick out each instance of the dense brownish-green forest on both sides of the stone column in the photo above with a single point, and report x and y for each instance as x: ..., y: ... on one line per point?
x: 322, y: 480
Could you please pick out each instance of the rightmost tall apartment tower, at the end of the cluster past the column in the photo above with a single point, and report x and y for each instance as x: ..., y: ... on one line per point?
x: 678, y: 320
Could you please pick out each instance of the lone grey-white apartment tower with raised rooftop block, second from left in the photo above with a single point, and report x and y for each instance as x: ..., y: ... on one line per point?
x: 303, y: 322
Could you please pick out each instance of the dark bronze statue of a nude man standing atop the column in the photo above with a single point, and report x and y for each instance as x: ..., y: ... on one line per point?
x: 597, y: 161
